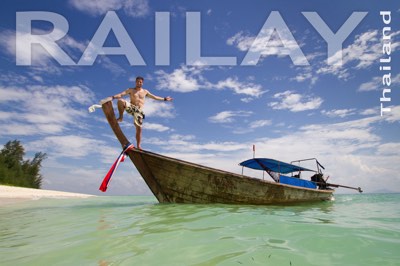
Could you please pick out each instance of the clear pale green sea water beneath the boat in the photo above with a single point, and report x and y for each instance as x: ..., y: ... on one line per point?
x: 356, y: 229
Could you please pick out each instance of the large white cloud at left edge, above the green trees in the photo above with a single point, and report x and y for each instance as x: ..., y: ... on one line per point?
x: 43, y: 109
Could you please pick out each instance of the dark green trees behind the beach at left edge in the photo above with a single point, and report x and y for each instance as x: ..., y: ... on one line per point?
x: 14, y: 170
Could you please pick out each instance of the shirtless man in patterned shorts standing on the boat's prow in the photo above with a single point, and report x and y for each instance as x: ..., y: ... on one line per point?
x: 134, y: 107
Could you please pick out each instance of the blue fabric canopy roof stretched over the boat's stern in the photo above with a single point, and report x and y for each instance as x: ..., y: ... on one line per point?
x: 272, y: 165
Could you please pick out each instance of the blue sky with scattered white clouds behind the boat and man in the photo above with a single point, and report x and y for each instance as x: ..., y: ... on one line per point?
x: 297, y: 79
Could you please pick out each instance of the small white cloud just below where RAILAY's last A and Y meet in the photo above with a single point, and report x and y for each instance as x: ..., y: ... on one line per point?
x: 295, y: 102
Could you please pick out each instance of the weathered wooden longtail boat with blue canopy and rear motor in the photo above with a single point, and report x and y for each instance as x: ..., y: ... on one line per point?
x: 176, y: 181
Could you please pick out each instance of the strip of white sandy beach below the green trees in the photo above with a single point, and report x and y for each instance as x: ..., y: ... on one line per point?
x: 9, y: 194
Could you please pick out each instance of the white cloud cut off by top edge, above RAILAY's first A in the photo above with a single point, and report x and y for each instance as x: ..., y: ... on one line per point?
x: 133, y: 8
